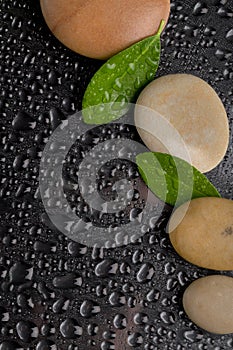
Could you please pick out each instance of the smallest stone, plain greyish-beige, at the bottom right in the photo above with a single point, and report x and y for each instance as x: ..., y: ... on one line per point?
x: 208, y: 302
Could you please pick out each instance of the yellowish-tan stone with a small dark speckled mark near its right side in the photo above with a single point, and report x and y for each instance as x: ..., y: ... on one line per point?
x: 202, y: 233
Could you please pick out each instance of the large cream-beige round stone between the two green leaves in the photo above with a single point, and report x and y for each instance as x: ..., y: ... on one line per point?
x: 194, y: 109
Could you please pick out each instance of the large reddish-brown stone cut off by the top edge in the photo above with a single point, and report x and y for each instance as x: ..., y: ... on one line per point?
x: 102, y: 28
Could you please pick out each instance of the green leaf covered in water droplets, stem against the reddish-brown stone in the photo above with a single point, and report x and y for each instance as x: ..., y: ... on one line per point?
x: 119, y: 81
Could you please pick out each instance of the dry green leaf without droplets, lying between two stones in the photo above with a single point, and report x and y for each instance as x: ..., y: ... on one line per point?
x: 172, y: 179
